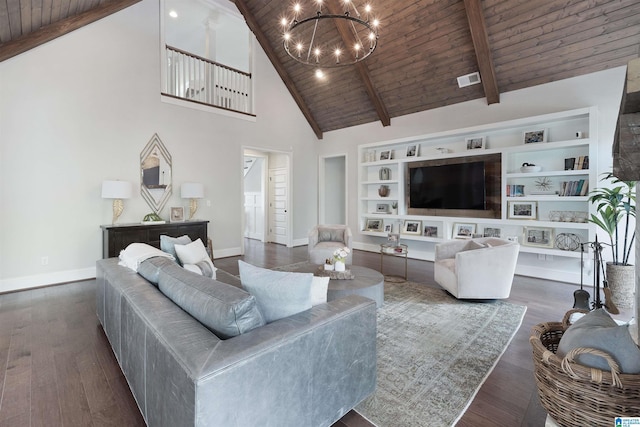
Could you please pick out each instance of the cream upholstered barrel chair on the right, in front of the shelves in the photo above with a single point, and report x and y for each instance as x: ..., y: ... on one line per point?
x: 480, y: 268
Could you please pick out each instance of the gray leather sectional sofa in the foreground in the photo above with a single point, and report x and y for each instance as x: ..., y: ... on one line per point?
x: 308, y: 369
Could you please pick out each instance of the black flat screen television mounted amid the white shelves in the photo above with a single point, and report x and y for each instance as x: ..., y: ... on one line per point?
x: 448, y: 186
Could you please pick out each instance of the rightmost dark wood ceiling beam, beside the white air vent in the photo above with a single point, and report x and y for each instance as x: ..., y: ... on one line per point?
x: 478, y: 28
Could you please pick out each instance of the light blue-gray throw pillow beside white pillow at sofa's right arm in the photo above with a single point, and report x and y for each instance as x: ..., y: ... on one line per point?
x: 279, y: 294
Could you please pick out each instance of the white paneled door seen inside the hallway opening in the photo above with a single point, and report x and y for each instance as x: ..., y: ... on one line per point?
x: 278, y: 205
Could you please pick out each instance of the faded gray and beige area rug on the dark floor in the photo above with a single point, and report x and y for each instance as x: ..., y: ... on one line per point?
x: 434, y: 353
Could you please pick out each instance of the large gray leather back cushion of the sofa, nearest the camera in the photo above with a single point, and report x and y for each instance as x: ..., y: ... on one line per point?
x: 224, y: 309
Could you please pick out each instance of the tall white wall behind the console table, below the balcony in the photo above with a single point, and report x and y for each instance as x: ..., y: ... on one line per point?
x: 78, y: 110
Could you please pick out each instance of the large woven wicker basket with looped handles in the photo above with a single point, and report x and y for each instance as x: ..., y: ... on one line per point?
x: 576, y: 395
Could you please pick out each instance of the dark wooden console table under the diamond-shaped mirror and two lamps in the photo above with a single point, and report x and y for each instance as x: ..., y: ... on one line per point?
x: 119, y: 236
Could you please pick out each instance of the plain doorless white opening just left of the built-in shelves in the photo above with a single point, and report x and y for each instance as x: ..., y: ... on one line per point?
x: 332, y: 203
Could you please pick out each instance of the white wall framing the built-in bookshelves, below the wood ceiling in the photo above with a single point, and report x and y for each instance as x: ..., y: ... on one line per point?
x: 602, y: 89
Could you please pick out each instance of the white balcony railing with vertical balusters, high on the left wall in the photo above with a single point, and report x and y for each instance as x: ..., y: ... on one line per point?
x: 197, y: 79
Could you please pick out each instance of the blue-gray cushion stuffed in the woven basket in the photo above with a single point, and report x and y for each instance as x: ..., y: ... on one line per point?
x: 598, y: 330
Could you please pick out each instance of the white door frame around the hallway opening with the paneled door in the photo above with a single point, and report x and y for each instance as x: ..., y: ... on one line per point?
x: 266, y: 152
